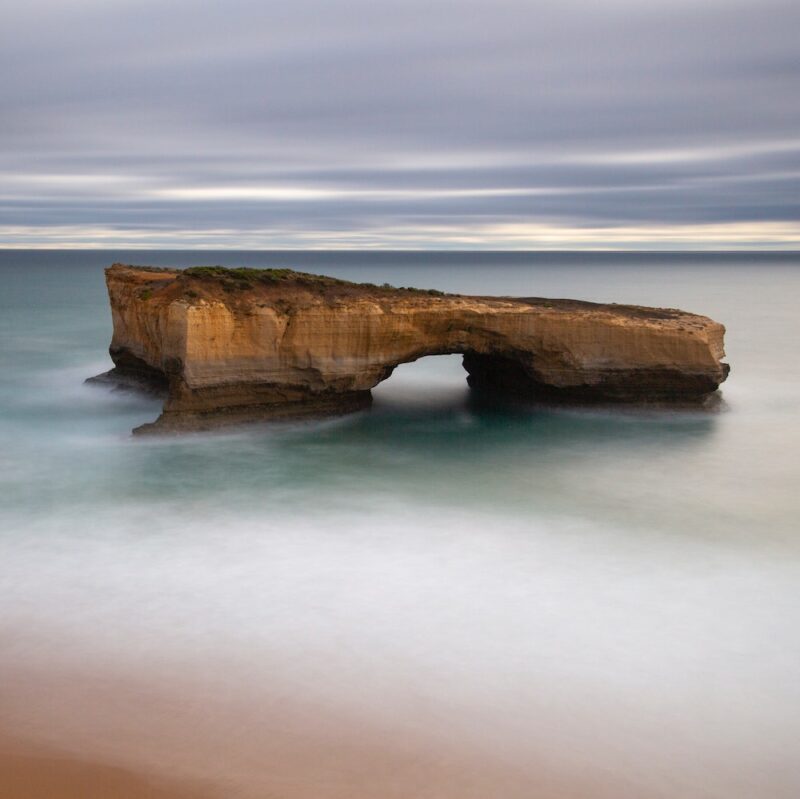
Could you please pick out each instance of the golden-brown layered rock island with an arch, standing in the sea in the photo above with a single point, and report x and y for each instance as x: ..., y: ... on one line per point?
x: 237, y: 345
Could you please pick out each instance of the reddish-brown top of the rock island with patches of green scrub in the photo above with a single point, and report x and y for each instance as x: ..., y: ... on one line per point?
x: 242, y: 287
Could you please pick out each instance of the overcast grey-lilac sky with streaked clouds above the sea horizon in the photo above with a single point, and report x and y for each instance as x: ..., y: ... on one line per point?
x: 443, y: 124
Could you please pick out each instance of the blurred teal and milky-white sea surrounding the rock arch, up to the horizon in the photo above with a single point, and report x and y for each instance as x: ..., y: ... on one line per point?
x: 429, y: 599
